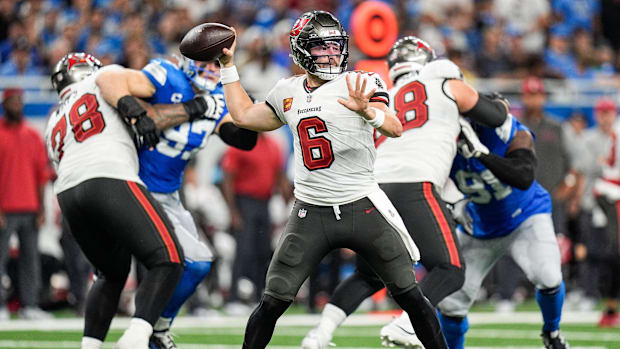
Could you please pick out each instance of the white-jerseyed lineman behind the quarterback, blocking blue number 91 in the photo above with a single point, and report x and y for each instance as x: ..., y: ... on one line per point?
x: 428, y: 96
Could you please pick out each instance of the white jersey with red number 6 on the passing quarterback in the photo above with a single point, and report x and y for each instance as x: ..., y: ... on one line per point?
x: 334, y: 151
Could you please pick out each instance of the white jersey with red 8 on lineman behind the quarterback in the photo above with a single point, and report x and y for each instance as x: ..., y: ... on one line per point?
x: 429, y: 114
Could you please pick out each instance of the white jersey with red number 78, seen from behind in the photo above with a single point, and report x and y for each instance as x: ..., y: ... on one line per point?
x: 86, y: 138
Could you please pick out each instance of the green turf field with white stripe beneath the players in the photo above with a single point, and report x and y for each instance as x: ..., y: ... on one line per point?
x: 194, y: 333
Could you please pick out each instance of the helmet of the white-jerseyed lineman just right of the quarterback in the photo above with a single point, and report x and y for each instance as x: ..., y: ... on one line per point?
x: 408, y: 55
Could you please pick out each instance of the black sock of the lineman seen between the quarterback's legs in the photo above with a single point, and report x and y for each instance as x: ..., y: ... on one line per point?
x: 351, y: 292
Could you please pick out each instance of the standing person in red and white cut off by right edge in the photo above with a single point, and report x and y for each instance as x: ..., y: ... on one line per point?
x: 607, y: 191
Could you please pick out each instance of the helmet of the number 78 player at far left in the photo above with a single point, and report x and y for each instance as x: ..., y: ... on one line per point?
x: 72, y: 68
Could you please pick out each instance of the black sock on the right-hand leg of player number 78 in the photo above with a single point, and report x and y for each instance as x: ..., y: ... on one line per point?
x: 156, y: 290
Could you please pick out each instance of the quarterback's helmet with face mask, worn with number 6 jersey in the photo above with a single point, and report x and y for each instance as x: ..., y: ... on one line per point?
x: 319, y: 29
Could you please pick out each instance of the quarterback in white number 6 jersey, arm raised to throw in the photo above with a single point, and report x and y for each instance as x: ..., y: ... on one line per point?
x: 339, y: 204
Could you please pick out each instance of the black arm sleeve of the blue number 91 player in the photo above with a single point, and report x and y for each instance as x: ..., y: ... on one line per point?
x: 516, y: 169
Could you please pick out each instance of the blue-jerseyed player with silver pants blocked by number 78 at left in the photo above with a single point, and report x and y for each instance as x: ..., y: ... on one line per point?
x: 161, y: 168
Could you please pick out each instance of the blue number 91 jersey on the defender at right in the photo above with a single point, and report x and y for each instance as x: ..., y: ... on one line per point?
x: 497, y: 209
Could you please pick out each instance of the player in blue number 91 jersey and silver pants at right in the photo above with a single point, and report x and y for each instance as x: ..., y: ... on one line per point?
x: 508, y: 212
